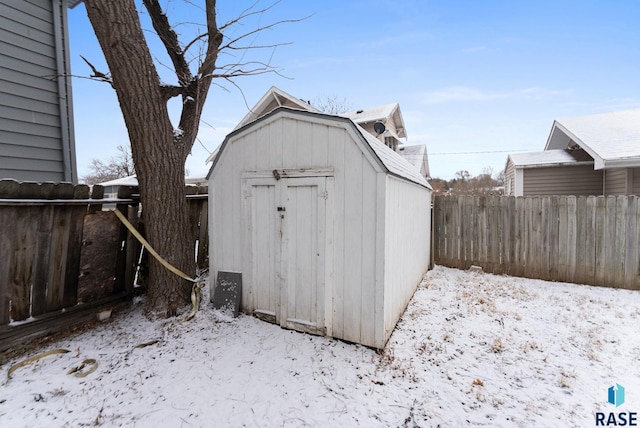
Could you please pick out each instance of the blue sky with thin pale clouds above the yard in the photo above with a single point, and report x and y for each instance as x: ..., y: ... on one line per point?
x: 474, y: 79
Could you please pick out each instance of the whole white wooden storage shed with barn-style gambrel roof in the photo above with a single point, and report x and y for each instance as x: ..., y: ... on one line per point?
x: 328, y: 226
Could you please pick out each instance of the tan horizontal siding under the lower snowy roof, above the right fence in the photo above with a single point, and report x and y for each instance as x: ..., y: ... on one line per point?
x: 568, y: 180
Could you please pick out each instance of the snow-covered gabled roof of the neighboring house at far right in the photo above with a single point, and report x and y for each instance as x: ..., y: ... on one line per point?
x: 610, y: 138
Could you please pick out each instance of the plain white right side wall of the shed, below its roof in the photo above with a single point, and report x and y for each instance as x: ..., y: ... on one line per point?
x: 407, y: 245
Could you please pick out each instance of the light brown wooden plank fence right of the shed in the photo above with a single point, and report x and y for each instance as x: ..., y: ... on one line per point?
x: 587, y: 240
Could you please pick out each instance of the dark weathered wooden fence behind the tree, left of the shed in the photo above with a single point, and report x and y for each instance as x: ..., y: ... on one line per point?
x: 62, y: 258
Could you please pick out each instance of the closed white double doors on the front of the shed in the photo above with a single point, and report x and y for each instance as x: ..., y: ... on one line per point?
x: 285, y: 224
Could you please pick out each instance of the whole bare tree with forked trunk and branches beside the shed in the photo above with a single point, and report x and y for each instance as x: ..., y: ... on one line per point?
x: 159, y: 153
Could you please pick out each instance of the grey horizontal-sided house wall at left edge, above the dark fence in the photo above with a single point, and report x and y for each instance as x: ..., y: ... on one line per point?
x: 36, y: 115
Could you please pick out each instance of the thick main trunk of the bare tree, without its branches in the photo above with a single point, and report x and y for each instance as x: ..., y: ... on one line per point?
x: 158, y: 154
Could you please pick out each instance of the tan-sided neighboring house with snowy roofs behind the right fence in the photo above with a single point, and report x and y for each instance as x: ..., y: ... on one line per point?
x: 586, y: 155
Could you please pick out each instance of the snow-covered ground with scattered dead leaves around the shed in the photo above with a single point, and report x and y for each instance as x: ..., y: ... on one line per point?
x: 472, y: 349
